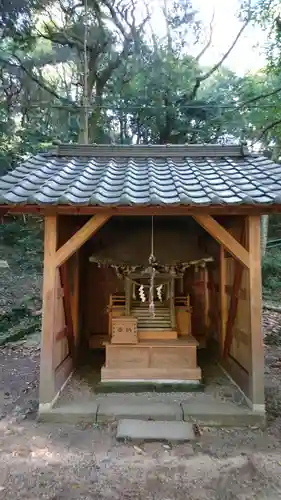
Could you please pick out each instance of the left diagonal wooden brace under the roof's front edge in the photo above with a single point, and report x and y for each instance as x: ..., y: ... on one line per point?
x: 79, y: 238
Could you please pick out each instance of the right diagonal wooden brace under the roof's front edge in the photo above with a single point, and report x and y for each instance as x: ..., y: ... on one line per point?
x: 222, y: 236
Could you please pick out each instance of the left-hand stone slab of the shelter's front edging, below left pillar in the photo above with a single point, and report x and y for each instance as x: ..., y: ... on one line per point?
x: 72, y: 413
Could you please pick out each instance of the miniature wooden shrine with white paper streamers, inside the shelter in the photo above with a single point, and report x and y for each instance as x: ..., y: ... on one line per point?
x: 149, y: 327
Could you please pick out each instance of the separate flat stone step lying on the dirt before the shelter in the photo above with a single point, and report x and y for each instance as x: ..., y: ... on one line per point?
x: 142, y: 430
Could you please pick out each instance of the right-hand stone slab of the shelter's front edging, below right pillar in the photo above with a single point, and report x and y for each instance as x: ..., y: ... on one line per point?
x: 221, y: 413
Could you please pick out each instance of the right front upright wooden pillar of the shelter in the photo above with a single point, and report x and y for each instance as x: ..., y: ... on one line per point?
x: 256, y: 389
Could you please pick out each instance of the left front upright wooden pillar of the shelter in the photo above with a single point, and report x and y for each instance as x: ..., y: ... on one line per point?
x: 47, y: 389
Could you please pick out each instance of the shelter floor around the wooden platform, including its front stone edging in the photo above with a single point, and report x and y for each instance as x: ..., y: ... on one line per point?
x: 219, y: 402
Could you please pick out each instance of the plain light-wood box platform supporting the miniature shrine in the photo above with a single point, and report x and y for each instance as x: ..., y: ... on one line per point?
x: 168, y: 360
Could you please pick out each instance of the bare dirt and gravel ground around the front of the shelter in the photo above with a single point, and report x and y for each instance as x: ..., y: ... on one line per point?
x: 63, y: 462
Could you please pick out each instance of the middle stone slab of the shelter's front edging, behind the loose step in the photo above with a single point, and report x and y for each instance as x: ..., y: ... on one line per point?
x: 109, y: 410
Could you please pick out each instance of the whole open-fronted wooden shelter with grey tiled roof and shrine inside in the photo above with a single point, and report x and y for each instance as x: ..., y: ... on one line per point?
x: 149, y: 299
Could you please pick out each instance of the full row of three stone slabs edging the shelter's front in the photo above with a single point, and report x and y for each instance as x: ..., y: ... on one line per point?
x: 212, y: 412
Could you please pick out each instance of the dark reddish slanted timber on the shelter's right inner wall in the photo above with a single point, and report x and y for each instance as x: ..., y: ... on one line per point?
x: 234, y: 300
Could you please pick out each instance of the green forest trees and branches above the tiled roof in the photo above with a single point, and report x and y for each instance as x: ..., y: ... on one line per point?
x: 104, y: 59
